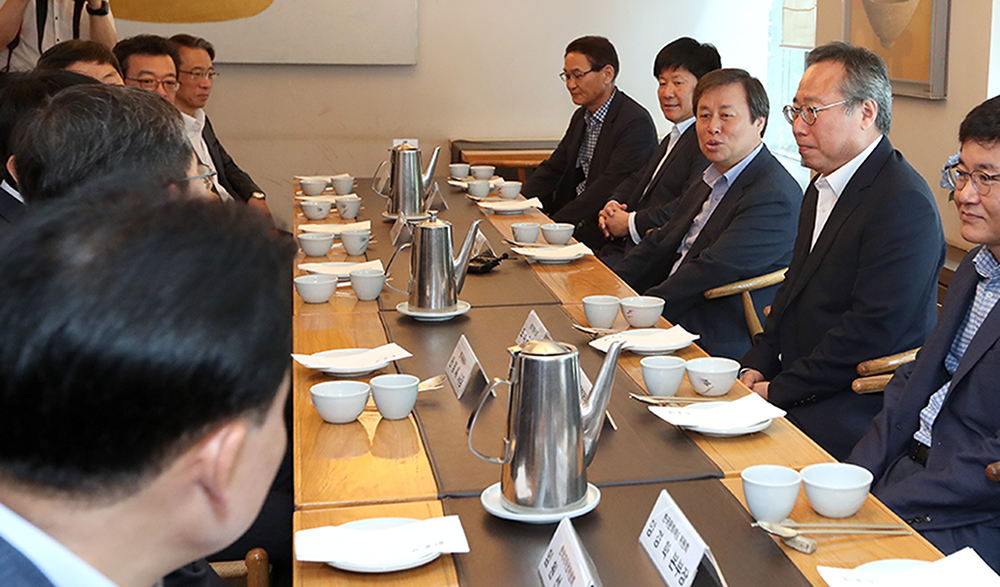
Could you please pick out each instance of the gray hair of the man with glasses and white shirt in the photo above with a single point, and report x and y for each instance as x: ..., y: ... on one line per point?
x: 866, y: 78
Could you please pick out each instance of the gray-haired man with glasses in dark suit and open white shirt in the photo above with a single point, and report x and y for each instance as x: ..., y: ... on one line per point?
x: 863, y: 279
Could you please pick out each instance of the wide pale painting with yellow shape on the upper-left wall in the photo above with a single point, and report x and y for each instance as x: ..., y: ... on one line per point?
x: 355, y: 32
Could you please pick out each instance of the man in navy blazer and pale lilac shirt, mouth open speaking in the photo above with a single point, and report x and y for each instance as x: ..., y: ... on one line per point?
x: 737, y: 223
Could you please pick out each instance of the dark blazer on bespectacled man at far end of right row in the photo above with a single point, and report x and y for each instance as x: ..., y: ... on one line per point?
x: 627, y: 140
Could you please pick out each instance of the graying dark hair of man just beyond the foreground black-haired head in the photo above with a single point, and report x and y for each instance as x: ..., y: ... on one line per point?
x: 94, y: 131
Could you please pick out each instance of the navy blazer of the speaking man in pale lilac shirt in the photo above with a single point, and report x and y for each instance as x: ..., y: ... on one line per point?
x: 750, y: 233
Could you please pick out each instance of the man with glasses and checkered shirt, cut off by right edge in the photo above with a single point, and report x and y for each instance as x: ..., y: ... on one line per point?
x: 940, y: 426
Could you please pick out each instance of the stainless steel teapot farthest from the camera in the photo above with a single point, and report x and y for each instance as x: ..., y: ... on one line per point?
x: 408, y: 185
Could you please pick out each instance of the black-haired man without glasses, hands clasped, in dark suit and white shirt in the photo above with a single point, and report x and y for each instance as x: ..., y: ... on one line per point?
x: 636, y: 205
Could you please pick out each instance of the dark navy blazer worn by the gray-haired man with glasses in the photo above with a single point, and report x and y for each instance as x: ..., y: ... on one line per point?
x: 867, y: 289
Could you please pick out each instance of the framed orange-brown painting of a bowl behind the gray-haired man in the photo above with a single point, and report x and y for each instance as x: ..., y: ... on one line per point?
x: 912, y: 37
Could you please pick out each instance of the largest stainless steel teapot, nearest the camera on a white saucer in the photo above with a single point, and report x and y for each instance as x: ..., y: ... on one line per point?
x: 552, y: 432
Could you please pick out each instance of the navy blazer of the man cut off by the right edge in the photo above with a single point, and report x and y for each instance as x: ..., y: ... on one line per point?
x: 952, y: 489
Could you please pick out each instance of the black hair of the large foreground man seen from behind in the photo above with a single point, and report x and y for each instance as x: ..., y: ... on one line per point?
x: 131, y: 325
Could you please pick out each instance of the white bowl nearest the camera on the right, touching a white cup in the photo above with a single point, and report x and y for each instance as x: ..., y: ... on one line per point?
x: 836, y: 490
